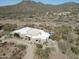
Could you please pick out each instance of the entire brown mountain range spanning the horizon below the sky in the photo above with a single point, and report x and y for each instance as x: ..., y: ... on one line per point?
x: 27, y: 7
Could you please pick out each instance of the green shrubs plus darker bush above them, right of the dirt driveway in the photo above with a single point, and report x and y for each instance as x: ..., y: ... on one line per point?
x: 41, y: 53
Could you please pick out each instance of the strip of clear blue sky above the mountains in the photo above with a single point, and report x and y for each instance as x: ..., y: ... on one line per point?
x: 11, y: 2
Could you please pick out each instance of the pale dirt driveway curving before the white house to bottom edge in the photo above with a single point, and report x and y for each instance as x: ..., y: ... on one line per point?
x: 29, y: 50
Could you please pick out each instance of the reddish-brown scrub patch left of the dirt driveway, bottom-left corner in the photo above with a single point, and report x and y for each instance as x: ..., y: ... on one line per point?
x: 12, y: 51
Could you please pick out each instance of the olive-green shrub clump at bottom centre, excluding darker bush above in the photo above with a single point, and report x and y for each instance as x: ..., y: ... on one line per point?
x: 42, y: 53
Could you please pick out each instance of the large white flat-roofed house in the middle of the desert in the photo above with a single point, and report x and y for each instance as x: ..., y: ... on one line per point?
x: 32, y: 34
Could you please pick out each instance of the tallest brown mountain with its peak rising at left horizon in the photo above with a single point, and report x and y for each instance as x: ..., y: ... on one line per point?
x: 23, y: 7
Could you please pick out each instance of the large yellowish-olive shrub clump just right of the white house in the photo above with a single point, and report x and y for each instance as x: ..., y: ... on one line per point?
x: 62, y: 32
